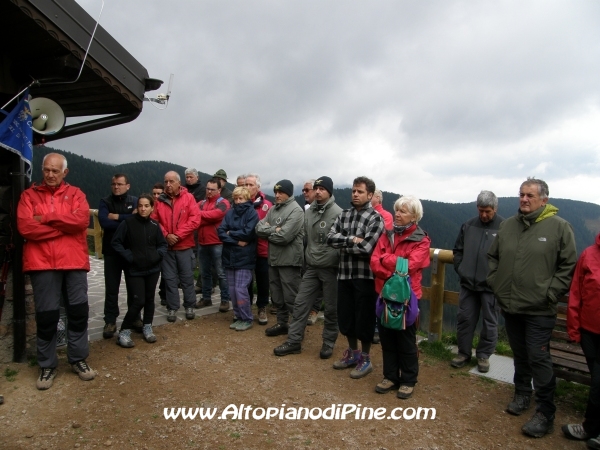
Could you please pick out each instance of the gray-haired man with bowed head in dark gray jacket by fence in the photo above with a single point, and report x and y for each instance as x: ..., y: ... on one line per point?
x: 470, y: 262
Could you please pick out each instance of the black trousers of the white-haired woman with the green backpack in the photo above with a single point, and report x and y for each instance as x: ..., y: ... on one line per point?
x: 400, y: 356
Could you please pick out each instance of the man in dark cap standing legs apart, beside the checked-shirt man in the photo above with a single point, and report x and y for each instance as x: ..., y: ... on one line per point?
x: 320, y: 276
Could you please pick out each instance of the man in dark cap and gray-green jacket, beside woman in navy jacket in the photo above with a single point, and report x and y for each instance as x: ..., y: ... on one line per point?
x: 283, y: 227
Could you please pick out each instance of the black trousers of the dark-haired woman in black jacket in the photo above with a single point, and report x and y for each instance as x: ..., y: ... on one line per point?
x: 141, y: 291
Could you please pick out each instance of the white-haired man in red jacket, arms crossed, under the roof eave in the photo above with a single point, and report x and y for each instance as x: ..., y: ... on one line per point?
x: 53, y: 218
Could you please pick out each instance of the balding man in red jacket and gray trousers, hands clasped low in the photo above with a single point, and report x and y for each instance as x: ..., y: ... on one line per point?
x: 177, y: 212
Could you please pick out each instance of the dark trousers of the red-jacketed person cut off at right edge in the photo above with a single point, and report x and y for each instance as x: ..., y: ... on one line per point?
x: 590, y: 344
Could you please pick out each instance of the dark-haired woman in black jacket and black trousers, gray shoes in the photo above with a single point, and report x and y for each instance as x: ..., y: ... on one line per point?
x: 140, y: 240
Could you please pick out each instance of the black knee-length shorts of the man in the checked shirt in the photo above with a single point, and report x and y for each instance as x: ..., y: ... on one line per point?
x: 356, y: 308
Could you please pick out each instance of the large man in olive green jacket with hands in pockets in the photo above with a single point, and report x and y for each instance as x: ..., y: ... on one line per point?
x: 531, y: 264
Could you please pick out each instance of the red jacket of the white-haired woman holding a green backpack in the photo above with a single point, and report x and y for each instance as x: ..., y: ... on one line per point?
x: 413, y: 245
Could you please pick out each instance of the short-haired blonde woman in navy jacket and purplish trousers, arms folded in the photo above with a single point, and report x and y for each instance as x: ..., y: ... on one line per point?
x: 239, y: 254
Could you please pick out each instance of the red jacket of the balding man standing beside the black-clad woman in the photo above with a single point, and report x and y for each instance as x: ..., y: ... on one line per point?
x: 178, y: 215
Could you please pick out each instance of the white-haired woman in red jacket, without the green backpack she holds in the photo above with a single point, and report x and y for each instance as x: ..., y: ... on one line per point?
x: 409, y: 241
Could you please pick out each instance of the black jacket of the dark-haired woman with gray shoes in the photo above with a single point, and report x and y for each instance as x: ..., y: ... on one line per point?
x: 142, y: 243
